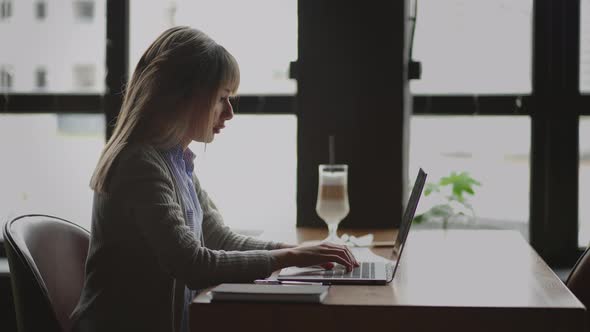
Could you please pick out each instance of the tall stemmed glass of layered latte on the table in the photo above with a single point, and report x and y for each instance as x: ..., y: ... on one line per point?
x: 332, y: 205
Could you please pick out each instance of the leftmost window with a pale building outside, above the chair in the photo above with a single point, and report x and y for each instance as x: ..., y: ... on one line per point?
x: 53, y: 64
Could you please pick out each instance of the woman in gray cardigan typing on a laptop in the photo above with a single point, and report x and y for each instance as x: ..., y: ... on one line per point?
x: 156, y: 235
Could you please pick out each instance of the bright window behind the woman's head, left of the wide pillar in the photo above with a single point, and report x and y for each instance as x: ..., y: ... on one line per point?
x: 250, y: 169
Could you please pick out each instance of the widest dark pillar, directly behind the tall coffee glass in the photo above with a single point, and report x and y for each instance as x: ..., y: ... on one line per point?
x: 352, y: 83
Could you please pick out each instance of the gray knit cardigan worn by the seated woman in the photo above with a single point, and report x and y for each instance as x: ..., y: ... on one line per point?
x: 142, y: 254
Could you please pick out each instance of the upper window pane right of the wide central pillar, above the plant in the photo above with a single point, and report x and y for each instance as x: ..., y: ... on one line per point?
x: 474, y: 46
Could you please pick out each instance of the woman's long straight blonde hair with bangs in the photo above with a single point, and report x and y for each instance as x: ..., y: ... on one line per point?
x: 182, y: 67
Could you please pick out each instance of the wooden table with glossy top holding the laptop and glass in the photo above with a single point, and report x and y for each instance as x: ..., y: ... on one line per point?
x: 472, y: 280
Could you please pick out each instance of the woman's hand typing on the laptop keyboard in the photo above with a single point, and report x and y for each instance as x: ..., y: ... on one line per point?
x: 324, y: 254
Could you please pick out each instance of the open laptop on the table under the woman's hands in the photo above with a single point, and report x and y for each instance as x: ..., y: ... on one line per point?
x: 368, y: 272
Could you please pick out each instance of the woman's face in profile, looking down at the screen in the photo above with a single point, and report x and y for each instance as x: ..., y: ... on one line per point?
x: 221, y: 112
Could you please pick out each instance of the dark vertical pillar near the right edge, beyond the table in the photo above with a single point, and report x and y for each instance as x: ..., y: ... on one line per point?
x: 555, y: 122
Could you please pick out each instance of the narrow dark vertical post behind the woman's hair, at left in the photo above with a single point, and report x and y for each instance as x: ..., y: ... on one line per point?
x: 117, y: 59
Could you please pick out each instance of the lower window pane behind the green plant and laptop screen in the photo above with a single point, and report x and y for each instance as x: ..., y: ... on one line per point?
x: 494, y: 151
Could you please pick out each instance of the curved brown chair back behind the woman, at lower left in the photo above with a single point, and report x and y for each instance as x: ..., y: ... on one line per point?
x: 46, y: 256
